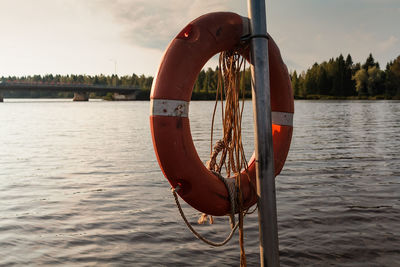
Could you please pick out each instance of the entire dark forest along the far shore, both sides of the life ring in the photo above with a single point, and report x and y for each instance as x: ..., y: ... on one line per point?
x: 337, y: 78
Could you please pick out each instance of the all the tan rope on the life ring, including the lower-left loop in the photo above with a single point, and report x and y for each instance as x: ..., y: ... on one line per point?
x: 227, y: 154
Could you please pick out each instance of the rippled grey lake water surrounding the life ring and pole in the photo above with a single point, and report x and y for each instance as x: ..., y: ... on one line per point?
x: 80, y: 186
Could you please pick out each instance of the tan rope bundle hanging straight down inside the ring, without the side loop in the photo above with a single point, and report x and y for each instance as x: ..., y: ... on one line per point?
x: 230, y: 147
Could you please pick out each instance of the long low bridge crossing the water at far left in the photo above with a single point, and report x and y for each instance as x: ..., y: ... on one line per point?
x: 81, y: 91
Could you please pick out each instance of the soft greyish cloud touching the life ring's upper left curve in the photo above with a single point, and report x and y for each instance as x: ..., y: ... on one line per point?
x: 153, y: 24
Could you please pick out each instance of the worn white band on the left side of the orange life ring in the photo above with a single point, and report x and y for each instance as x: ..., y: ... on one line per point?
x: 168, y: 107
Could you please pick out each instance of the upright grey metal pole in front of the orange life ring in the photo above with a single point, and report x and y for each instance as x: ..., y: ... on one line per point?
x: 267, y: 217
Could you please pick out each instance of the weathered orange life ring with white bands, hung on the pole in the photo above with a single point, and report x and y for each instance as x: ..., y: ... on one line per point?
x: 170, y: 97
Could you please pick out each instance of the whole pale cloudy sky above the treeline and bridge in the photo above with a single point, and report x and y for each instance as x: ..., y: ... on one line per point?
x: 129, y: 36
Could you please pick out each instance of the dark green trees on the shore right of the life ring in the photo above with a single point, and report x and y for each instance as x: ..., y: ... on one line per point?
x: 341, y: 78
